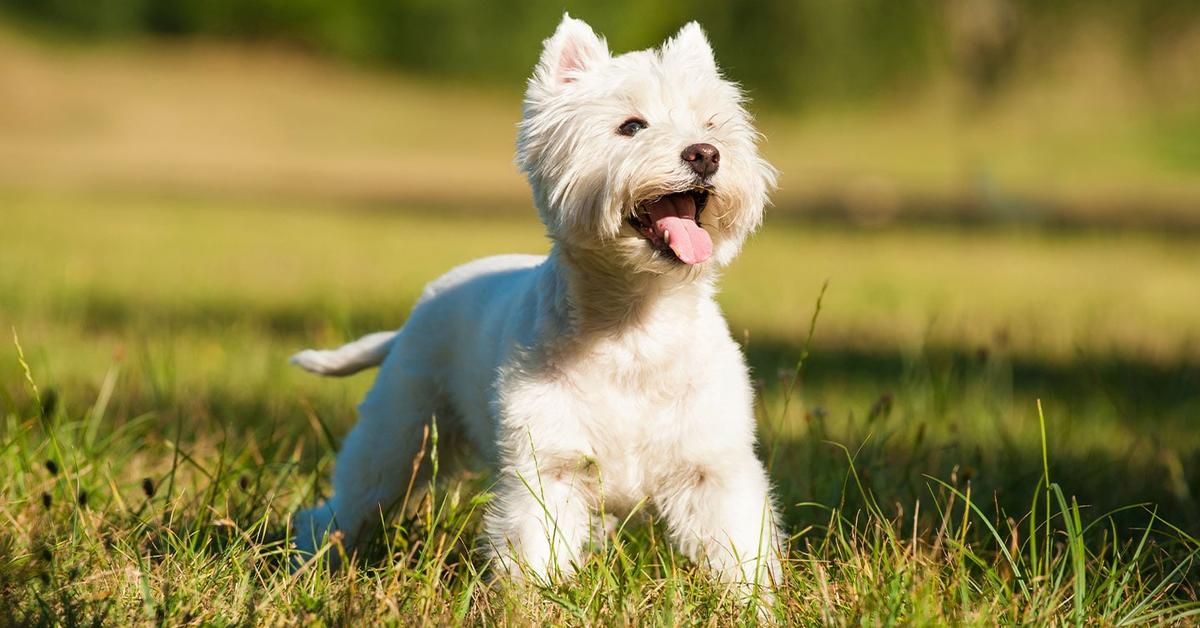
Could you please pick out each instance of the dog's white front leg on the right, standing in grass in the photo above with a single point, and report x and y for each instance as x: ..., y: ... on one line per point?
x: 721, y: 515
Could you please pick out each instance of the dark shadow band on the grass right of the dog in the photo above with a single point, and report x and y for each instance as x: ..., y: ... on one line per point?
x: 1120, y: 432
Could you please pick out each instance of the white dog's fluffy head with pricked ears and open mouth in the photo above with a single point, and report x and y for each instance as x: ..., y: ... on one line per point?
x: 647, y: 159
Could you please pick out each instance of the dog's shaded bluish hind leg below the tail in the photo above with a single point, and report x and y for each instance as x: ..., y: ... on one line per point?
x: 376, y: 462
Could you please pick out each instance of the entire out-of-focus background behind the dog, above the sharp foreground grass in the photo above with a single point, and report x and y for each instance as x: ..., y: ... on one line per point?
x: 1004, y: 196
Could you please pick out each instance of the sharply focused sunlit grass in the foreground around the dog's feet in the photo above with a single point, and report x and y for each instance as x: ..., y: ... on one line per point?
x: 178, y: 516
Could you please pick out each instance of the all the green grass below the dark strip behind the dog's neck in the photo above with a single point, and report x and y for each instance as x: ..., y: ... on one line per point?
x: 988, y: 427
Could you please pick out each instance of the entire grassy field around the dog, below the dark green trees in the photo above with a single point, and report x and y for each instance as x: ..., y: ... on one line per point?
x: 979, y: 374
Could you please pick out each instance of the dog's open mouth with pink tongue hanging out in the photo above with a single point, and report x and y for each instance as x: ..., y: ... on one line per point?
x: 671, y: 224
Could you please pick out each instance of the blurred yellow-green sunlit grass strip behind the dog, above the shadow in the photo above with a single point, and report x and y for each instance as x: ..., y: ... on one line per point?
x: 107, y: 264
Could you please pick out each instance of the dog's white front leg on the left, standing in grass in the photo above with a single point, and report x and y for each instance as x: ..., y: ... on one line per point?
x: 541, y: 522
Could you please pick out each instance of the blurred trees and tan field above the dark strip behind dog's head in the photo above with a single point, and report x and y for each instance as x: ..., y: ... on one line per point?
x: 1078, y: 113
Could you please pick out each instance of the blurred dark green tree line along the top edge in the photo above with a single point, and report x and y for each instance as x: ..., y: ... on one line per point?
x: 788, y: 52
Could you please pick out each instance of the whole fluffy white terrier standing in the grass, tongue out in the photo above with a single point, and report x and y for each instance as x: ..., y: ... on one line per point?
x: 603, y: 375
